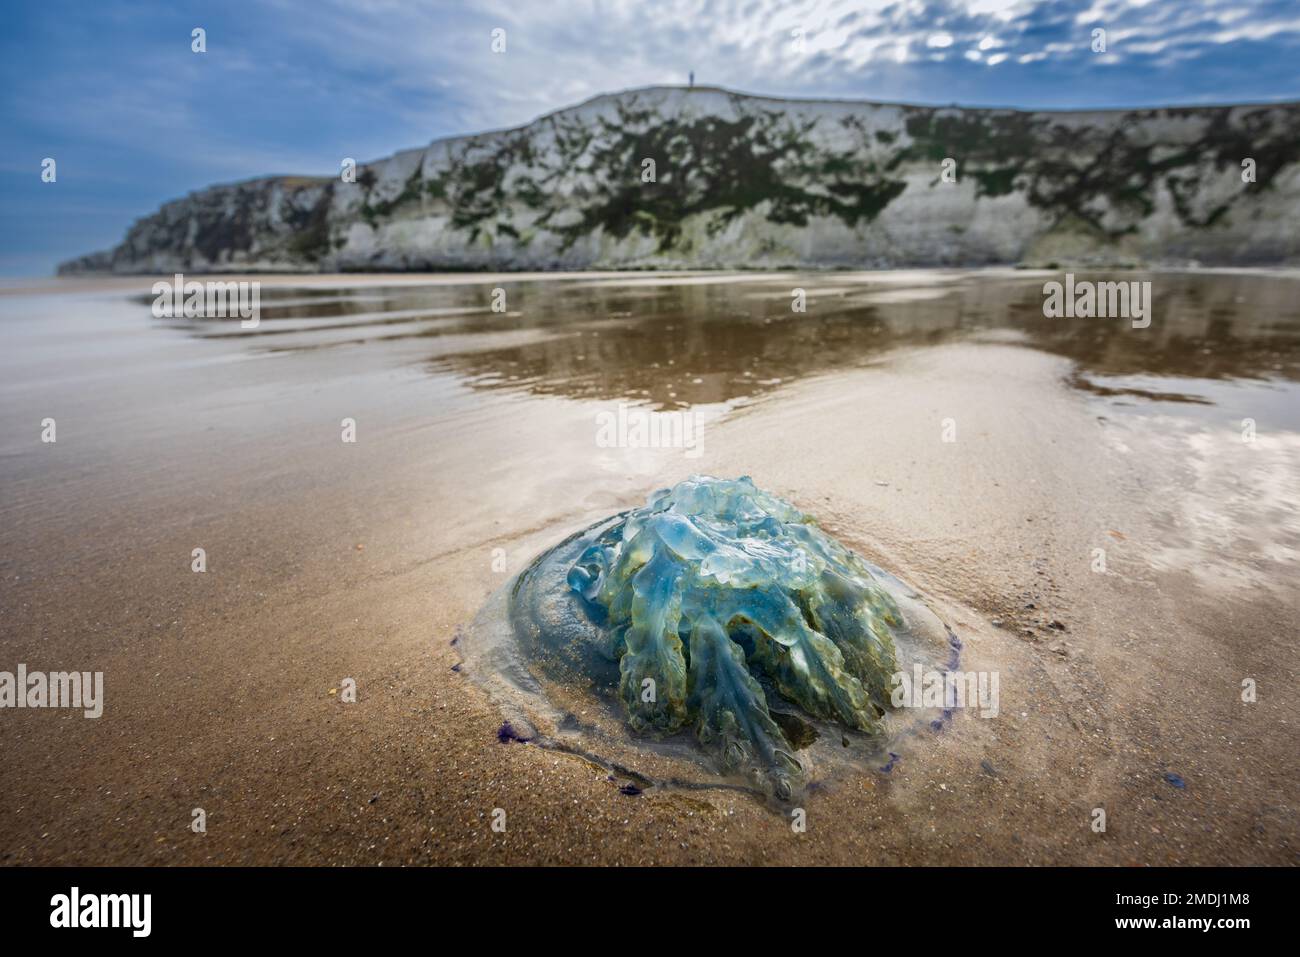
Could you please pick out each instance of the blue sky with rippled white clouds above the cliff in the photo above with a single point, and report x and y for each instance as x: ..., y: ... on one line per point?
x: 112, y: 92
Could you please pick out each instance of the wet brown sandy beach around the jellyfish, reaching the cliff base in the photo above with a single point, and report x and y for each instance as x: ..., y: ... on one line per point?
x: 476, y: 434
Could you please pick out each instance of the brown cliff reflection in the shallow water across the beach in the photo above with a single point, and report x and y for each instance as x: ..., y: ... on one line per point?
x: 674, y: 344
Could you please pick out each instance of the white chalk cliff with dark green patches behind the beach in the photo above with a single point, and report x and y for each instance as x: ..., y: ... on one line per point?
x: 752, y: 183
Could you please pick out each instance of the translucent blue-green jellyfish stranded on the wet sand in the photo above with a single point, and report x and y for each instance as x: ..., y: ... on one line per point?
x: 721, y: 616
